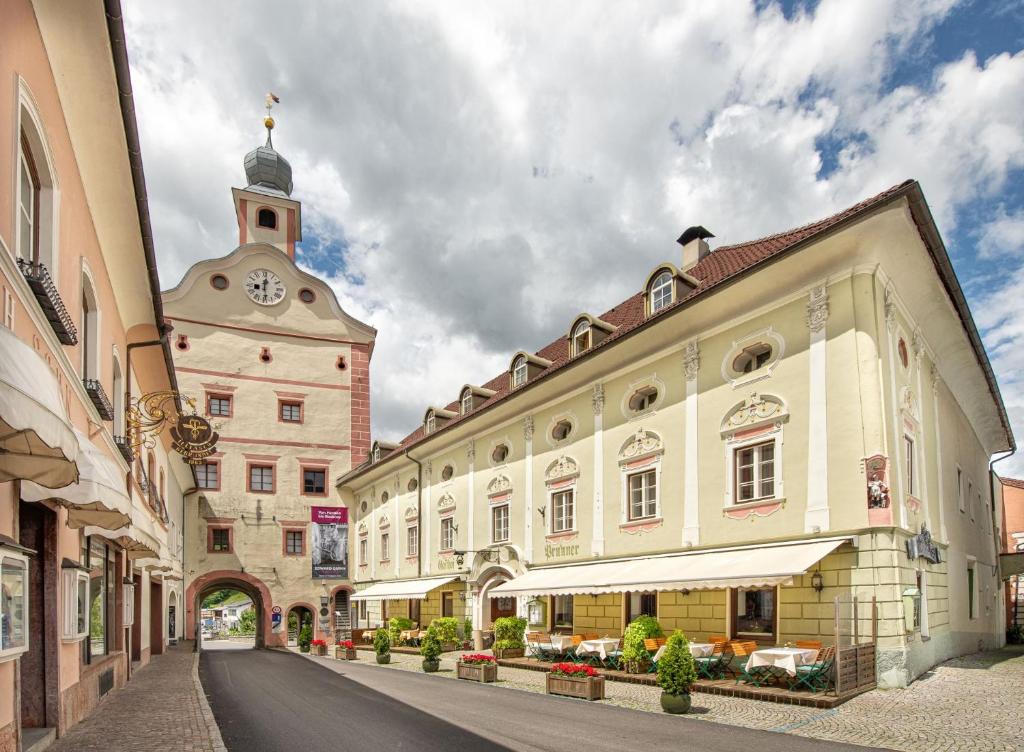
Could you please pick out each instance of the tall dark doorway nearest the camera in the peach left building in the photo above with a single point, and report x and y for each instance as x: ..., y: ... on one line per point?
x: 39, y: 665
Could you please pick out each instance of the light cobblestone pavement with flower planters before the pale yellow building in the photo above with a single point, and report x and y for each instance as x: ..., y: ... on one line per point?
x: 966, y: 705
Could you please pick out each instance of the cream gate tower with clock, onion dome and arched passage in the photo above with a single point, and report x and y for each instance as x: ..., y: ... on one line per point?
x: 283, y: 374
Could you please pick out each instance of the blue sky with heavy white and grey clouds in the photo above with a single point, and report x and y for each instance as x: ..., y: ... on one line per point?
x: 475, y: 175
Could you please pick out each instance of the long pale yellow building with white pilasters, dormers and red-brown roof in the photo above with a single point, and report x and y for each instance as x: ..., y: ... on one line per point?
x: 763, y: 432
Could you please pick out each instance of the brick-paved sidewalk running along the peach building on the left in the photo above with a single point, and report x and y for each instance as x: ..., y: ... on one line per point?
x: 162, y: 709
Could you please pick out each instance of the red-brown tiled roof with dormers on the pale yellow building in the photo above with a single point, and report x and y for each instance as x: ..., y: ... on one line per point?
x: 717, y: 268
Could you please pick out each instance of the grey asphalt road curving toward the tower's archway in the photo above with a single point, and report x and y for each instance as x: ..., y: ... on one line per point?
x: 271, y: 701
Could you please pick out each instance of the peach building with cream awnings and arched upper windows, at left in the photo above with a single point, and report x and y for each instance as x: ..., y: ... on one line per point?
x: 91, y: 534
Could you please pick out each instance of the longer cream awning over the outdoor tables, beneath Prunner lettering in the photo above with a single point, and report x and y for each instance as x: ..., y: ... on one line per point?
x: 751, y: 567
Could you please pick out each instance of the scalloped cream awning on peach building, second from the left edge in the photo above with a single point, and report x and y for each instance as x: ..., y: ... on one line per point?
x: 98, y: 499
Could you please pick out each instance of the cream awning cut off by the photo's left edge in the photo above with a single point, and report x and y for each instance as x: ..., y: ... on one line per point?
x: 36, y: 438
